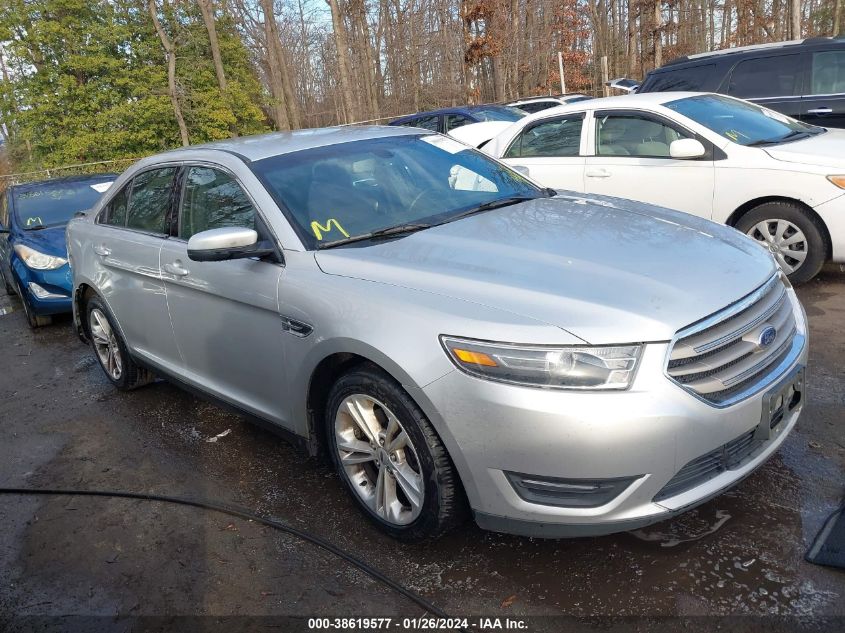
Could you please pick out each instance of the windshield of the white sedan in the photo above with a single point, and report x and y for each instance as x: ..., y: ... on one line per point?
x: 740, y: 121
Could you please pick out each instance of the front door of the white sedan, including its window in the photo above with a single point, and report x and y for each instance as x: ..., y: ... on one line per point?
x: 631, y: 160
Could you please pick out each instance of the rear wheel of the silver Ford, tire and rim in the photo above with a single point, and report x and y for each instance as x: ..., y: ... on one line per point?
x: 110, y: 349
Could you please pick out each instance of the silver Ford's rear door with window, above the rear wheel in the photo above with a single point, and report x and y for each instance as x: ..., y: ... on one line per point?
x: 124, y: 245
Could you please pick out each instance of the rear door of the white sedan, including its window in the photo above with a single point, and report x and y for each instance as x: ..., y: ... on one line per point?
x: 551, y: 150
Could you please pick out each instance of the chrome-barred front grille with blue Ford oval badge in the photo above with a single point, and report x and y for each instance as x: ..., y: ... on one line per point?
x: 722, y: 356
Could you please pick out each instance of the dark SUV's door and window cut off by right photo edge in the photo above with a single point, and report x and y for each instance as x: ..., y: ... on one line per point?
x: 824, y: 103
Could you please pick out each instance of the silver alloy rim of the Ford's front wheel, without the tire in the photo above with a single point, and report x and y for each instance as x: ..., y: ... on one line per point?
x: 379, y: 459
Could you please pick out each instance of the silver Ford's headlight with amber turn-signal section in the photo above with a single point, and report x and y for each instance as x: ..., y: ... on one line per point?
x: 577, y: 367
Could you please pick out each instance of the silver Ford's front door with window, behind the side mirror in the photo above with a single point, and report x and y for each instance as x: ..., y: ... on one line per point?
x: 225, y: 314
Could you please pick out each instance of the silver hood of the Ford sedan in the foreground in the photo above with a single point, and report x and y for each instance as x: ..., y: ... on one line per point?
x: 603, y: 269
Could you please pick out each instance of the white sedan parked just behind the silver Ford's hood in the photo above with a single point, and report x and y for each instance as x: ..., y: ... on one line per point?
x: 777, y: 180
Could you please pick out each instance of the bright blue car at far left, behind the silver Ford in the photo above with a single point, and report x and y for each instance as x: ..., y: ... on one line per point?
x: 33, y: 253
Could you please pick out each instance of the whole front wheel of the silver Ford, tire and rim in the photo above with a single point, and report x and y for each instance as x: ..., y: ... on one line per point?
x: 422, y: 463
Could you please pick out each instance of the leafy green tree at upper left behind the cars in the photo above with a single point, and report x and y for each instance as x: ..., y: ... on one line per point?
x: 87, y: 81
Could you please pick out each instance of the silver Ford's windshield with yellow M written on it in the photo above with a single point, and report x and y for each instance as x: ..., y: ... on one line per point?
x: 357, y: 188
